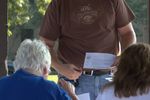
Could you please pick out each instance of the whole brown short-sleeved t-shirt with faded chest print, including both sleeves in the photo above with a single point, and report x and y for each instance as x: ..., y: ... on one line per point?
x: 85, y: 26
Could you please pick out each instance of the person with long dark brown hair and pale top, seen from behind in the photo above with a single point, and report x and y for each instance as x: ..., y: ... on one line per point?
x: 132, y: 79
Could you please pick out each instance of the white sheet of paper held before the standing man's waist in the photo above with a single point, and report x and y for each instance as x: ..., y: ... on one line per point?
x: 98, y: 60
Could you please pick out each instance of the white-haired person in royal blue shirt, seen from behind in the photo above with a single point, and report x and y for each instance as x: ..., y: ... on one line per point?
x: 31, y: 65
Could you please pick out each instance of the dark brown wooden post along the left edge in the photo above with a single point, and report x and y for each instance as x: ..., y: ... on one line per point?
x: 3, y: 37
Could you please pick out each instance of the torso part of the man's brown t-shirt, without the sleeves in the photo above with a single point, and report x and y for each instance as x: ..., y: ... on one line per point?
x: 86, y: 26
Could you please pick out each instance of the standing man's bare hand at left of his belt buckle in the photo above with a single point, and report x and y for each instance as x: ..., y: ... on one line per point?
x: 70, y: 71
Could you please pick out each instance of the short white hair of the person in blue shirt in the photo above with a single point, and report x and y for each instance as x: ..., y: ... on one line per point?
x: 32, y: 54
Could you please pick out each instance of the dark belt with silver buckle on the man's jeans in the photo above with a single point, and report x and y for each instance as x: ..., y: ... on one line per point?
x: 95, y: 72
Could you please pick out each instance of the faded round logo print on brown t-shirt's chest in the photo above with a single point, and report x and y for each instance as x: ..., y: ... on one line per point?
x: 85, y: 15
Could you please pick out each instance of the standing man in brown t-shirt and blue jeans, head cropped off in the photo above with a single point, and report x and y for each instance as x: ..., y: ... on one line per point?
x: 82, y: 26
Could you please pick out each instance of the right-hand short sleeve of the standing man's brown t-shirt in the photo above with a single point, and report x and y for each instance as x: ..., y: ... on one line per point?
x: 124, y: 14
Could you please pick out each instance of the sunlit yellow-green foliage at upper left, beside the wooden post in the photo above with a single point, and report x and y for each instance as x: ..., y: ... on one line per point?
x: 21, y: 12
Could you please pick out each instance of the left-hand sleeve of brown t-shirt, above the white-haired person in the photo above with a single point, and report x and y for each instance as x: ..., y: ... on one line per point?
x: 50, y: 28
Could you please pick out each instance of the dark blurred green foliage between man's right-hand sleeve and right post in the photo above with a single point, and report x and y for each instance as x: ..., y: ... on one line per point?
x: 140, y: 8
